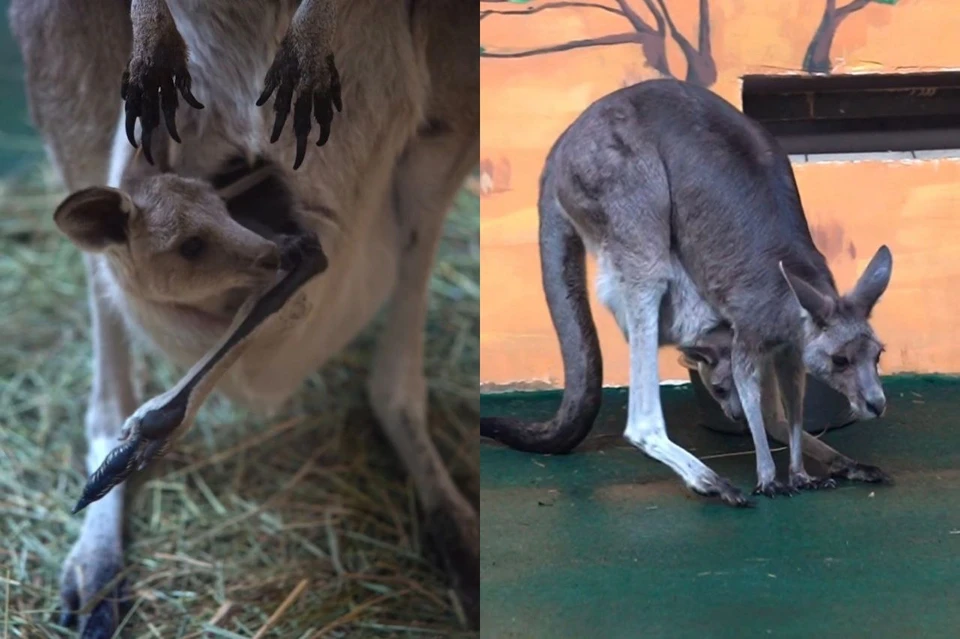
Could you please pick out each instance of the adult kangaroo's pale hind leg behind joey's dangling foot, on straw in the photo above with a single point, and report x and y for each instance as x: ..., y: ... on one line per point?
x: 96, y: 558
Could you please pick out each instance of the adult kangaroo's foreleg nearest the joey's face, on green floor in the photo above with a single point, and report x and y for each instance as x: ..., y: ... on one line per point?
x: 754, y: 378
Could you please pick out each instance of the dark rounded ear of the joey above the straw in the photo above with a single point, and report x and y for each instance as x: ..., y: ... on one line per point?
x: 95, y: 217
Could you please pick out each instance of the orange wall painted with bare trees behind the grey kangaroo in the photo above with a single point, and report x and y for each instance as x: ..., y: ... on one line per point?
x: 543, y: 62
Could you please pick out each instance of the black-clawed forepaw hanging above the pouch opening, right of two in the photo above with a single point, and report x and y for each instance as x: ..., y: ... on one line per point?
x: 298, y: 68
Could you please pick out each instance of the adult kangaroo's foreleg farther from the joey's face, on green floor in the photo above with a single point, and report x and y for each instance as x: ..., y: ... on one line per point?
x: 791, y: 380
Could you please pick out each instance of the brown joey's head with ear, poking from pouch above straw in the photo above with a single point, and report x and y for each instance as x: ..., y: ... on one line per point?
x: 171, y: 241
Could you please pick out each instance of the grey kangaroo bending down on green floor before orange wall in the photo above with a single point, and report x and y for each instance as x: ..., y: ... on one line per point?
x: 665, y: 181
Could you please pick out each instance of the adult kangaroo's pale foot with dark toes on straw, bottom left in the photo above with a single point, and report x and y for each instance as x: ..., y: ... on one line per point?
x: 91, y: 597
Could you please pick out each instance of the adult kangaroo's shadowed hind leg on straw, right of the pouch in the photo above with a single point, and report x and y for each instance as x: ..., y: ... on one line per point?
x: 426, y: 182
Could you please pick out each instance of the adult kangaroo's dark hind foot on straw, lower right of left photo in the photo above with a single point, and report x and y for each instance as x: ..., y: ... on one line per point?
x: 454, y: 531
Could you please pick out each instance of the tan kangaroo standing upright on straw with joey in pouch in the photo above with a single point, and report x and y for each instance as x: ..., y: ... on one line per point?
x: 237, y: 287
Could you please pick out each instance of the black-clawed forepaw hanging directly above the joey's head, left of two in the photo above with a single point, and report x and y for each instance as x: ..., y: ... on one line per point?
x: 156, y: 71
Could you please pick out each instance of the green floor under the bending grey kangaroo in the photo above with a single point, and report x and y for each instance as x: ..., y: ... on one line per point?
x: 607, y: 543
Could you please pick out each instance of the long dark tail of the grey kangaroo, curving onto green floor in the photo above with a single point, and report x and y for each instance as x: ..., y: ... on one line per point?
x: 563, y: 264
